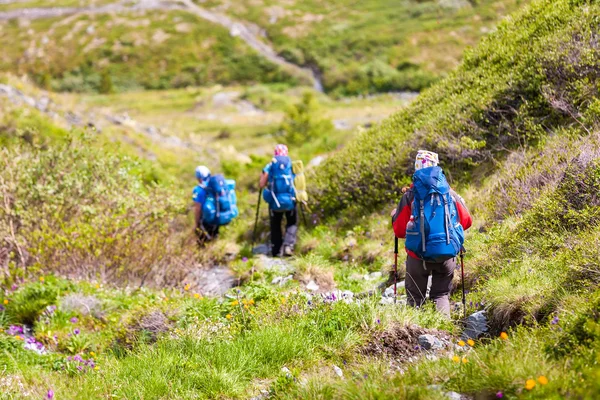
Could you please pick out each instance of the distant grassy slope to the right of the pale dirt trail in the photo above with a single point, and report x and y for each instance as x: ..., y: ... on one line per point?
x: 372, y: 46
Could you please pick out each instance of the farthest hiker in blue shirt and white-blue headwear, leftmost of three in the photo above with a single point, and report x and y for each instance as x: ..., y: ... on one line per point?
x: 215, y: 204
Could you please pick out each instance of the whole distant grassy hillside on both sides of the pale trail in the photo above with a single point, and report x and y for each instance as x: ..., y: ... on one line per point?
x: 360, y: 47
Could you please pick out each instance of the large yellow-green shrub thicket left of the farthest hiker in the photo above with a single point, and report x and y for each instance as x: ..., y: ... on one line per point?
x: 81, y: 209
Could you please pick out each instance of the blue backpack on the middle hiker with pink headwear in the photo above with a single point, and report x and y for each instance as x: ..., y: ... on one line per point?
x: 281, y: 194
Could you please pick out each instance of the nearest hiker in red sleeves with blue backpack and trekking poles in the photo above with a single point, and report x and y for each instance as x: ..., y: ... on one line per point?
x: 432, y: 218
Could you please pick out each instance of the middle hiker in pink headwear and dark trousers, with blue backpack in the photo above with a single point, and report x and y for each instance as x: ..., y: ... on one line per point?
x: 277, y: 180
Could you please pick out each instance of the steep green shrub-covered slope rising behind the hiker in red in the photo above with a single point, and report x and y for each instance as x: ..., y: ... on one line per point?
x: 532, y: 78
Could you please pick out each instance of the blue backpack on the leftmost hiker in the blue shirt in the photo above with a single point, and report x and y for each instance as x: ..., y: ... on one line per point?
x: 220, y: 206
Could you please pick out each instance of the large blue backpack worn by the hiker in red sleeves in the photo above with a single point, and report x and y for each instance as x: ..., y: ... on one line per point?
x: 434, y: 233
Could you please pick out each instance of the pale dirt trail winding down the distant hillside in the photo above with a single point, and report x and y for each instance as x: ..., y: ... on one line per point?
x: 247, y: 32
